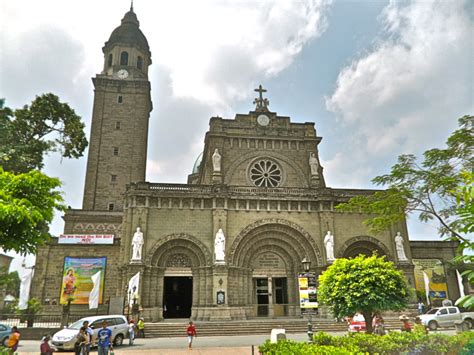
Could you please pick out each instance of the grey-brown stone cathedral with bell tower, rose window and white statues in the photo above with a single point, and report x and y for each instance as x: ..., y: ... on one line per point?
x: 229, y: 243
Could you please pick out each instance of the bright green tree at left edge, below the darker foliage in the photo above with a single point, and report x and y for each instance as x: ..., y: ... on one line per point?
x: 27, y: 205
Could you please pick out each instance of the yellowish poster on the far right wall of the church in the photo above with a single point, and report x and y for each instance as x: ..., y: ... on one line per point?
x: 435, y: 270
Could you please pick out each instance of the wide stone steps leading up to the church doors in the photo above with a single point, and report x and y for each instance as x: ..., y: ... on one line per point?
x: 177, y: 328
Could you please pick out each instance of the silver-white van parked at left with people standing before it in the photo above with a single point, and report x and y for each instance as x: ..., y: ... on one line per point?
x: 67, y: 337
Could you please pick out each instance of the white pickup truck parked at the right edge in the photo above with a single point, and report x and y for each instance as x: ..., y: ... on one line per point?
x: 445, y: 317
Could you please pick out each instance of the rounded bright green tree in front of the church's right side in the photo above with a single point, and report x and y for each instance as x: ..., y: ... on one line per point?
x: 363, y: 284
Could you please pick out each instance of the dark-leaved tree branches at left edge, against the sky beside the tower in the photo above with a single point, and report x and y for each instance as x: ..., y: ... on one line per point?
x: 47, y: 125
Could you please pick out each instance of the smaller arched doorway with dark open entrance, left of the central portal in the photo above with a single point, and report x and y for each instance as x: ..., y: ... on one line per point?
x: 177, y: 278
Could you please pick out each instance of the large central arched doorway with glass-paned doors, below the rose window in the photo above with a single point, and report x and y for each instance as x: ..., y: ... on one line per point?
x: 265, y: 259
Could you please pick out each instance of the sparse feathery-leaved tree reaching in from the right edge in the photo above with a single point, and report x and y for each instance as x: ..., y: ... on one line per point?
x: 427, y: 188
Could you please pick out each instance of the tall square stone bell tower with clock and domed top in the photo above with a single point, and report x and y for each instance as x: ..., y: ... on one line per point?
x: 122, y: 106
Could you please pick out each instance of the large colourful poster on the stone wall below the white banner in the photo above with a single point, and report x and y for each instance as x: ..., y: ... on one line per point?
x: 77, y: 283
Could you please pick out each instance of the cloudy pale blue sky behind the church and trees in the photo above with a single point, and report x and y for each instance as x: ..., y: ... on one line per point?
x: 378, y: 78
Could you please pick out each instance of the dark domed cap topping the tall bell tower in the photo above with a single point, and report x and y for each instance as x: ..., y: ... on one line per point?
x: 128, y: 33
